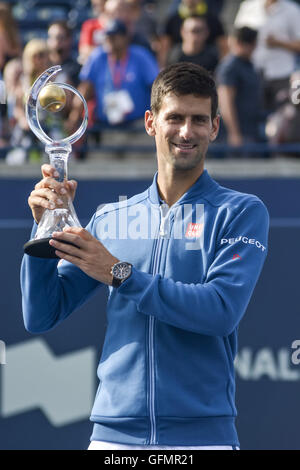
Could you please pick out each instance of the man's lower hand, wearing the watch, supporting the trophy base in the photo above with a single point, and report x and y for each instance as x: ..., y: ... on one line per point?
x: 88, y: 253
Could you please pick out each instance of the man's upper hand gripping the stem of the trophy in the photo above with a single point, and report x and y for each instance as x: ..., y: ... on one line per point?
x: 46, y: 194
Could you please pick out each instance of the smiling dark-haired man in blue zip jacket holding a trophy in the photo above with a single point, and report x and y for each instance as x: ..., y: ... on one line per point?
x: 178, y: 288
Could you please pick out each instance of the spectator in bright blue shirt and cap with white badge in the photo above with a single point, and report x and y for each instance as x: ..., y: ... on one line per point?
x: 120, y: 76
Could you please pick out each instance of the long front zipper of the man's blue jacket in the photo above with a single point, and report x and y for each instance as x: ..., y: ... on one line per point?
x: 156, y: 265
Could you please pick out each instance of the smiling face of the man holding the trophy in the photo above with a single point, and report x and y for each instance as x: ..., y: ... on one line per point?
x: 183, y: 129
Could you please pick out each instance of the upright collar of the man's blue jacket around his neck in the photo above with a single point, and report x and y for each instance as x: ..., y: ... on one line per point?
x: 201, y: 186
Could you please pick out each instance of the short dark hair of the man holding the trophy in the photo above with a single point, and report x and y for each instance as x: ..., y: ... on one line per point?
x: 184, y: 78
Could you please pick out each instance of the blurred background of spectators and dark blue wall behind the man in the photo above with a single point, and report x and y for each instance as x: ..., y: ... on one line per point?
x: 252, y: 47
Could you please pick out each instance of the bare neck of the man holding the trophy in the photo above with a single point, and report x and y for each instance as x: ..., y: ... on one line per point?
x: 172, y: 185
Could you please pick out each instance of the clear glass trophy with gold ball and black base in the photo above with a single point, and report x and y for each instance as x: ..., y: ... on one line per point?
x: 51, y: 96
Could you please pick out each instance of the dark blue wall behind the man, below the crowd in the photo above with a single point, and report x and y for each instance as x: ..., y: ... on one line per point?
x: 267, y: 381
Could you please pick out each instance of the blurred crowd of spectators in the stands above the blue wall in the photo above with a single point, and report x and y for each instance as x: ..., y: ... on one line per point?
x: 116, y: 53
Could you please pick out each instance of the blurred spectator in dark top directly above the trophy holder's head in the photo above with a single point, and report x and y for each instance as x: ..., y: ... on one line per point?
x: 194, y: 33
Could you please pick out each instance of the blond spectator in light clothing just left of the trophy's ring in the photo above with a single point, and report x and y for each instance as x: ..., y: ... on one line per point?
x: 35, y: 60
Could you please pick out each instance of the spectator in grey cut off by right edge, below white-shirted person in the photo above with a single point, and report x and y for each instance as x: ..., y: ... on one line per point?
x: 283, y: 125
